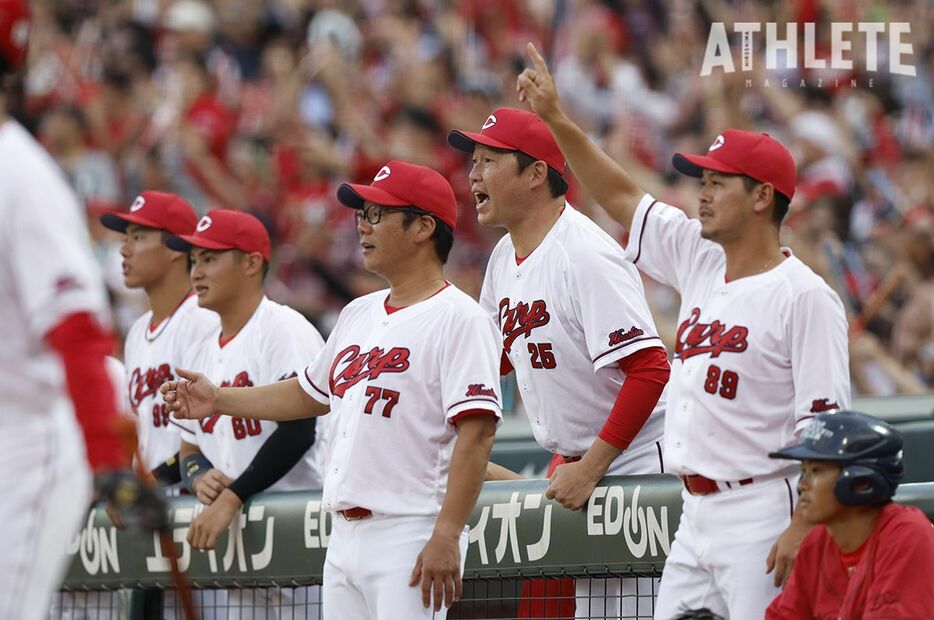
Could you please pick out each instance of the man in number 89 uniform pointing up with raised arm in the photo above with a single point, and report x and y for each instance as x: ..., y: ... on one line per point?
x: 761, y: 348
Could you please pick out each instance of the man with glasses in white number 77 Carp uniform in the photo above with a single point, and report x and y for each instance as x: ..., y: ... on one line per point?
x: 411, y: 375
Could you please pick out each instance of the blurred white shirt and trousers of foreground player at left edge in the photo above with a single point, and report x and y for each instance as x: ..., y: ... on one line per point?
x: 47, y: 272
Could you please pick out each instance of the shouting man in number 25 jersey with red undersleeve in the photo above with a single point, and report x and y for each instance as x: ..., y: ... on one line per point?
x: 574, y: 322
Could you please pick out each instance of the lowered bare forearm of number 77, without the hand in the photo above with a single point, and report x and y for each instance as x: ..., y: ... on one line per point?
x: 465, y: 478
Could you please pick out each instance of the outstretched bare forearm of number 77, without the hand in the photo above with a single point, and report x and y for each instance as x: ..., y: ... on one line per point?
x: 283, y: 400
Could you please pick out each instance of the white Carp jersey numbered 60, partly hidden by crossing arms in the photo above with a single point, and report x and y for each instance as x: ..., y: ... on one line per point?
x: 275, y: 344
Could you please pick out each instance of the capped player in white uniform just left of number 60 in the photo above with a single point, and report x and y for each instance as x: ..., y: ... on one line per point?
x: 168, y: 334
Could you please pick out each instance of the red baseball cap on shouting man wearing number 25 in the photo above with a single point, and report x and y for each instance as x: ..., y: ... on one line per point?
x: 510, y: 129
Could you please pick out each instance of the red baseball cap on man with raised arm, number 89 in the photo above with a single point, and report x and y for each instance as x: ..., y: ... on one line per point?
x: 757, y: 155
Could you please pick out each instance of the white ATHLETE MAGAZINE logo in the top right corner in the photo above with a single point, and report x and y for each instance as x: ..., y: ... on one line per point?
x: 829, y: 52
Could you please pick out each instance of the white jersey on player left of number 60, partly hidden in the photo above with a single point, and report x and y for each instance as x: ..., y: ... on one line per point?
x: 151, y: 355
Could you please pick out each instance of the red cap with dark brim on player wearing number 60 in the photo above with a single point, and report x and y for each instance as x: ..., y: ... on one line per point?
x: 223, y: 229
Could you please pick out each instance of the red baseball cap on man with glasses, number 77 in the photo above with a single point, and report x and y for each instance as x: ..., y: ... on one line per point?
x: 401, y: 184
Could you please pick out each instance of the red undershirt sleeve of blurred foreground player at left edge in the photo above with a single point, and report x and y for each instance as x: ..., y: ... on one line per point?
x: 83, y: 346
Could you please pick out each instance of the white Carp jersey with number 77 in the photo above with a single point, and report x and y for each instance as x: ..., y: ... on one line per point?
x: 396, y: 383
